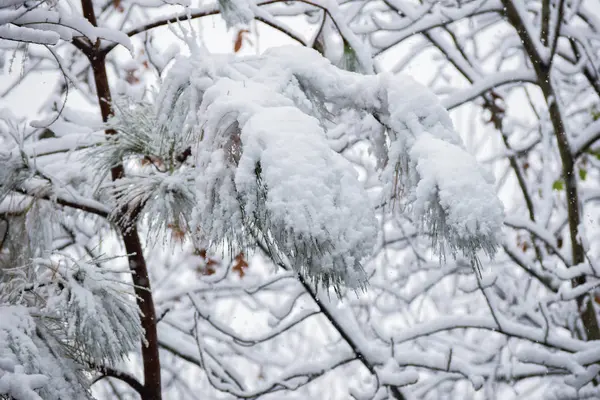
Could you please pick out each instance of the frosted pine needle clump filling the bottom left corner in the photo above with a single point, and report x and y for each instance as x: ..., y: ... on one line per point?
x: 59, y: 320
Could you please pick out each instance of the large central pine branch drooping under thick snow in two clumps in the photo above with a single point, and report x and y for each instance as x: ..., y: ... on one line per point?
x: 265, y: 173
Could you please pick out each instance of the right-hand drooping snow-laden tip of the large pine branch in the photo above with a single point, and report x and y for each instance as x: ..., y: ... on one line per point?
x: 451, y: 196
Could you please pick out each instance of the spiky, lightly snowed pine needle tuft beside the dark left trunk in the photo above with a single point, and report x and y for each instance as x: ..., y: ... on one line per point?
x: 163, y: 191
